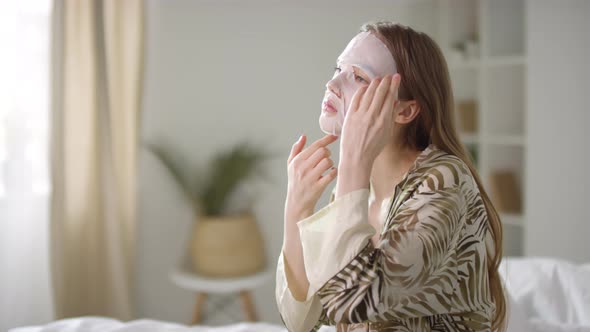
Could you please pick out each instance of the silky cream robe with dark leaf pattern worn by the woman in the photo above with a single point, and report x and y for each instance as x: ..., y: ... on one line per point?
x: 427, y: 273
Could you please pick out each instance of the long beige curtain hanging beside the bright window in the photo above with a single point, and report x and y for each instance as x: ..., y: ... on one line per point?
x: 97, y: 73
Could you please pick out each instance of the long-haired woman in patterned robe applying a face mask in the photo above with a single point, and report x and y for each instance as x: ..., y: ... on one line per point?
x: 410, y: 240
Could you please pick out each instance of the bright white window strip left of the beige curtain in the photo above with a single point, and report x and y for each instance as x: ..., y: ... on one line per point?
x: 24, y: 173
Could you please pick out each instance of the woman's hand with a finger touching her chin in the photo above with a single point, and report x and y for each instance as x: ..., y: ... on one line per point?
x: 306, y: 182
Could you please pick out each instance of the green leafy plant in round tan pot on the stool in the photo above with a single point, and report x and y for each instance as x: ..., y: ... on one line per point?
x: 224, y: 242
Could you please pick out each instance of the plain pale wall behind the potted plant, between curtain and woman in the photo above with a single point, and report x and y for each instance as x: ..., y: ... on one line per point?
x: 222, y: 71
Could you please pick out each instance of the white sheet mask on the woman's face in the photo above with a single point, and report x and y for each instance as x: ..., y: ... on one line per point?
x: 369, y: 54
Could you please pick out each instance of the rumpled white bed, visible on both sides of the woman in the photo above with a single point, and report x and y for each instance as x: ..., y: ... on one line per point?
x: 545, y: 295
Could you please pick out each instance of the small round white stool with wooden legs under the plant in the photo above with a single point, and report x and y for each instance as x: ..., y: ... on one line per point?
x: 184, y: 277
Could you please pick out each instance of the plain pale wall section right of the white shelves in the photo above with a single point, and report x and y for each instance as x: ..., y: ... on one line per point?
x: 558, y: 136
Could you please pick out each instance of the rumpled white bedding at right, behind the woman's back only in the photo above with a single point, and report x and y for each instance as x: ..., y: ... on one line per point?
x: 547, y: 294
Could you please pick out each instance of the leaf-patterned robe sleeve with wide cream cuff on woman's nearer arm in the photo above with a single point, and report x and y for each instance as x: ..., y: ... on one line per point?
x: 411, y: 273
